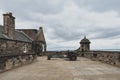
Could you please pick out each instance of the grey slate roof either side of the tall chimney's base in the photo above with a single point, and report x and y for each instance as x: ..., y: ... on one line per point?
x: 19, y: 35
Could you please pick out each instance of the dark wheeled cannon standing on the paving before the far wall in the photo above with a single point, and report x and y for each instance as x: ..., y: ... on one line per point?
x: 71, y: 55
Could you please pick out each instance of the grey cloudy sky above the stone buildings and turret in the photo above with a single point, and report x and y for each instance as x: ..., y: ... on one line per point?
x: 65, y: 22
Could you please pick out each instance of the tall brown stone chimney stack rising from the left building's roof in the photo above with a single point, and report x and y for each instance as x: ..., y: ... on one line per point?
x: 9, y: 25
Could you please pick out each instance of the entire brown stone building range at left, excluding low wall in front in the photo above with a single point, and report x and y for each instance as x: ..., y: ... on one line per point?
x: 25, y: 36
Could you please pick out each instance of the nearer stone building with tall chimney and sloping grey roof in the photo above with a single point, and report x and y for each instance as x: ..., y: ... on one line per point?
x: 10, y: 37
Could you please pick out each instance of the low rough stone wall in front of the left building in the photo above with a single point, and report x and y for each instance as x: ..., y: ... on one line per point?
x: 8, y: 62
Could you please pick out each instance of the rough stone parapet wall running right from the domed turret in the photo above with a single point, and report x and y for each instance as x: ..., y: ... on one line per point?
x: 110, y: 57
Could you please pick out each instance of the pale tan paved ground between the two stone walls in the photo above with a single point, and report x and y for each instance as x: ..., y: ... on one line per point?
x: 60, y: 69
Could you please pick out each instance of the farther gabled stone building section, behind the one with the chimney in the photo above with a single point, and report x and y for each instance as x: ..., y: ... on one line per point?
x: 38, y: 38
